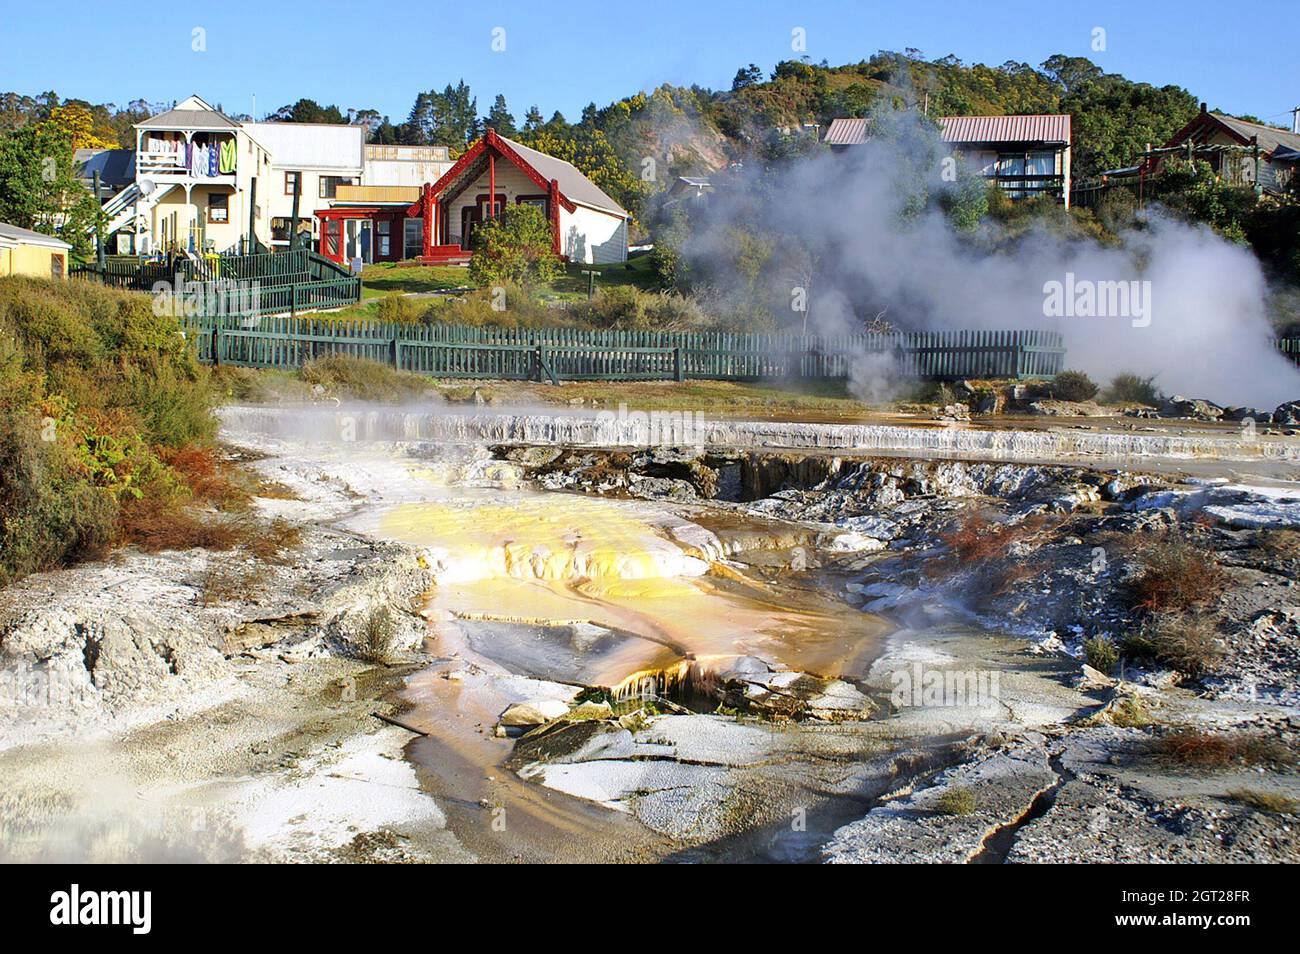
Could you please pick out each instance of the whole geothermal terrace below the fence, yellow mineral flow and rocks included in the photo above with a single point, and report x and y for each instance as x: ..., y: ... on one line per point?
x: 626, y: 638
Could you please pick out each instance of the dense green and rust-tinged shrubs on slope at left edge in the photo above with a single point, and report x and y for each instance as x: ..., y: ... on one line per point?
x: 96, y: 392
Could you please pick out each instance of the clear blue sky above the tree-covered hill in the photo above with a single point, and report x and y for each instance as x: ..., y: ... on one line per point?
x: 561, y: 57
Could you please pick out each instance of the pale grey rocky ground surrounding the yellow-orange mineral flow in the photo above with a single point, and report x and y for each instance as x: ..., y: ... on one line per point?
x: 235, y: 701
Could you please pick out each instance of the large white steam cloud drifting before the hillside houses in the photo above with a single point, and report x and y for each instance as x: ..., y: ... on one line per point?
x: 877, y: 245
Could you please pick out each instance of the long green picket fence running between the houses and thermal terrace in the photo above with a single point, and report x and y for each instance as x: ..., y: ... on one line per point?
x: 565, y: 354
